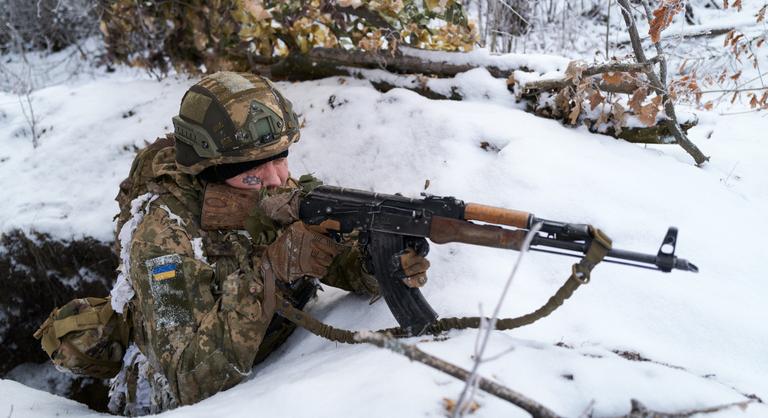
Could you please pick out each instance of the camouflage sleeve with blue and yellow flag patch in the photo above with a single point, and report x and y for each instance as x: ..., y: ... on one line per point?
x: 203, y: 342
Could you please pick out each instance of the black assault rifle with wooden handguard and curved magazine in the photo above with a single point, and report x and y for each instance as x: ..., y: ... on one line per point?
x: 388, y: 224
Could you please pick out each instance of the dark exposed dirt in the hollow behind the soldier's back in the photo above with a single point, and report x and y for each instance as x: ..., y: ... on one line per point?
x: 37, y: 274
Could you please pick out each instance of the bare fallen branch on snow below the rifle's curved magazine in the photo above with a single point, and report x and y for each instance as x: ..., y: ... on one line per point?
x: 534, y: 408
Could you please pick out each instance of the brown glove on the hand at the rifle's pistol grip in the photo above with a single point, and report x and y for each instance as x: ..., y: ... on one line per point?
x: 299, y: 252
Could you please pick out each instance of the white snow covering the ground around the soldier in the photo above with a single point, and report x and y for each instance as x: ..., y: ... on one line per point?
x: 703, y: 334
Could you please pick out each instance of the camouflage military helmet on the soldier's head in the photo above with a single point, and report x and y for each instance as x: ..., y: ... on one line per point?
x: 228, y: 119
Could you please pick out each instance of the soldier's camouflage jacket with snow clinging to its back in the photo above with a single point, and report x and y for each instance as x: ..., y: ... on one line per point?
x: 199, y: 312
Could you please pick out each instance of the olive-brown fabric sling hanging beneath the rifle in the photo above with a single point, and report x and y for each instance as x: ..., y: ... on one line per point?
x: 580, y: 274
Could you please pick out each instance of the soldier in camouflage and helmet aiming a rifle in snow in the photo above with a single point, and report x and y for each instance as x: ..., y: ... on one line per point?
x: 200, y: 295
